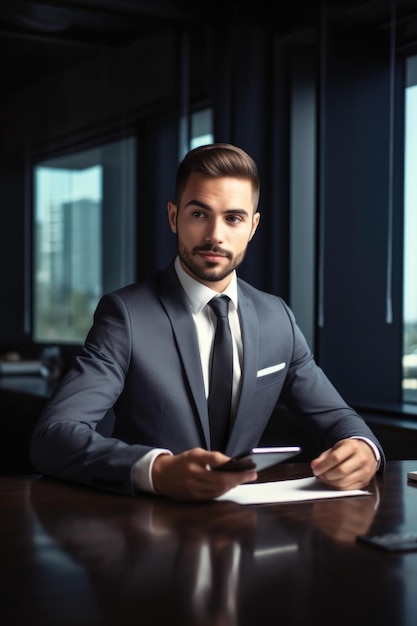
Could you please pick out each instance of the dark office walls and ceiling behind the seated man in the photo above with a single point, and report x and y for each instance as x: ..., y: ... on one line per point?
x: 314, y: 91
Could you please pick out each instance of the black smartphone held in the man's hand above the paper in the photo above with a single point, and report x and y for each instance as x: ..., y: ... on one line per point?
x: 258, y: 459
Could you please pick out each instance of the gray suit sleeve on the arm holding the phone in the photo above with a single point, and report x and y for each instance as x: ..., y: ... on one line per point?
x: 65, y: 442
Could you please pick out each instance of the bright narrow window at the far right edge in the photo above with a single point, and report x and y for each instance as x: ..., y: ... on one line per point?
x: 410, y: 233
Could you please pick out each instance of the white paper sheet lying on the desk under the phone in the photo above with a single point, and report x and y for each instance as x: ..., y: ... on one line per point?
x: 295, y: 490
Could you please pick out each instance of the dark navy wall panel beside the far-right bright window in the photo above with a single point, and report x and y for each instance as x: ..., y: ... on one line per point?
x: 359, y: 336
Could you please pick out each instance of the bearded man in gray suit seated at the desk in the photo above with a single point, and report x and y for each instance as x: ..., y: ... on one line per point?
x: 148, y: 357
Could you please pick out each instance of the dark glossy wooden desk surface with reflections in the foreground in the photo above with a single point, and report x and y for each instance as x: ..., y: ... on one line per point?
x: 73, y: 556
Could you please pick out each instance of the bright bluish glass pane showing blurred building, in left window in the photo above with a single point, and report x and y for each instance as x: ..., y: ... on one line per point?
x: 68, y: 219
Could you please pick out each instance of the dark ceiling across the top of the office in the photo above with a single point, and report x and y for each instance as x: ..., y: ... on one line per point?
x: 39, y: 37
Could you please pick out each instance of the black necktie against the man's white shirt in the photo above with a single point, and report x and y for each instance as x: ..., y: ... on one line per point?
x: 221, y: 377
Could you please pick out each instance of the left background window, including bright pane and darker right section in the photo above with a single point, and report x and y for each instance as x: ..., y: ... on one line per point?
x: 84, y: 237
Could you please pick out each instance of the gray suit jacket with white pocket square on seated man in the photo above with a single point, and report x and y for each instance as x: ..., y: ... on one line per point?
x: 141, y: 357
